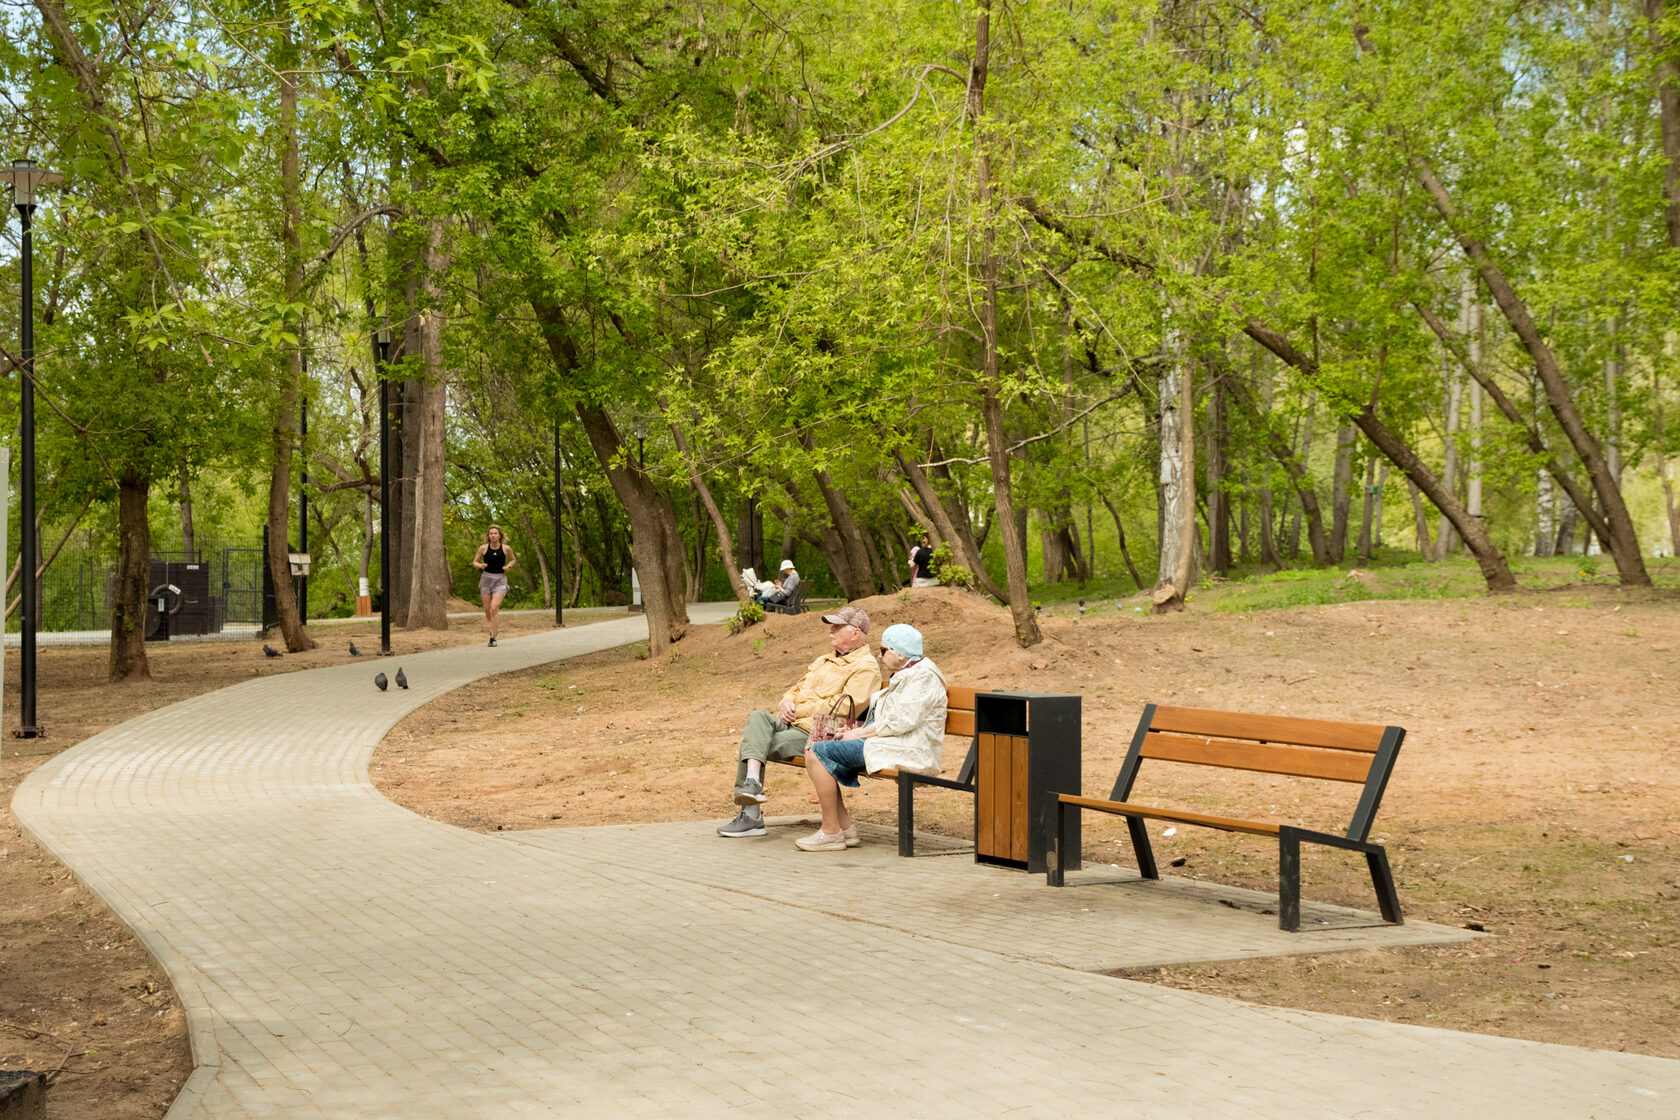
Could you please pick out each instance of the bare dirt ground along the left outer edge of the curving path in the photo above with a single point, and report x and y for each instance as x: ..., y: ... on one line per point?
x: 78, y: 993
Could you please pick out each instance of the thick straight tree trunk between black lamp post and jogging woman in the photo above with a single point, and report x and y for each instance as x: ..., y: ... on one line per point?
x: 429, y: 567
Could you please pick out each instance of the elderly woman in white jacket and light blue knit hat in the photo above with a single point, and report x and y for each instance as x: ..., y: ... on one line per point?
x: 905, y: 730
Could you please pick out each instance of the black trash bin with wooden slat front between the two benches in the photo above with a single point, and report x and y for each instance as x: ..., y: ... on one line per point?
x: 1029, y: 751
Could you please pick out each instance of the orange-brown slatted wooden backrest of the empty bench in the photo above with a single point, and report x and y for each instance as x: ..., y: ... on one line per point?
x: 1271, y: 745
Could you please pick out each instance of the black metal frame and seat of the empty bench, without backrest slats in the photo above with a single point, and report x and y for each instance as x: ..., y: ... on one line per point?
x: 1064, y: 829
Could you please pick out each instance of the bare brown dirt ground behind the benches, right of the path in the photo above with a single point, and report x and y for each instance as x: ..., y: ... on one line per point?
x: 1536, y: 795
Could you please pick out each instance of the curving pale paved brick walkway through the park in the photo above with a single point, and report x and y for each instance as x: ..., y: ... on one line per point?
x: 344, y: 958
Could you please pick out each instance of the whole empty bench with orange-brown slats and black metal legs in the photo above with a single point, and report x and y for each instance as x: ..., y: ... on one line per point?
x: 1273, y: 745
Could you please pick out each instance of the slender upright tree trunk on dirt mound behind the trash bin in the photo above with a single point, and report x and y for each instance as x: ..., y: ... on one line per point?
x: 992, y: 406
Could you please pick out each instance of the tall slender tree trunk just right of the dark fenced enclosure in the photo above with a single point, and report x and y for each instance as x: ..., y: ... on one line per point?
x: 291, y: 365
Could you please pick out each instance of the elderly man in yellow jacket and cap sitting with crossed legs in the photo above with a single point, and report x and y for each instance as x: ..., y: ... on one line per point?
x: 782, y: 735
